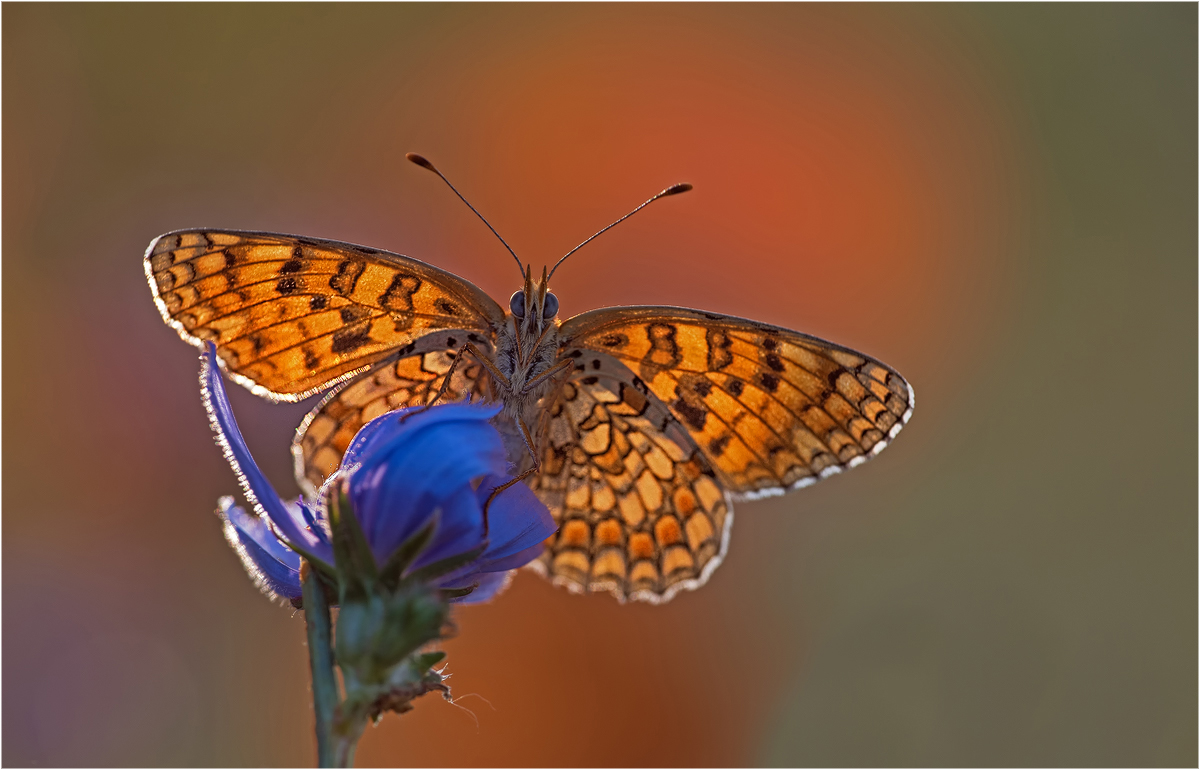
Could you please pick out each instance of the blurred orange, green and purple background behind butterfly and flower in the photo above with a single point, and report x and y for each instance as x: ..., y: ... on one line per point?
x: 999, y: 201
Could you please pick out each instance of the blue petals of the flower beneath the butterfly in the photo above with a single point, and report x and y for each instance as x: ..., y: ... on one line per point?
x: 398, y: 476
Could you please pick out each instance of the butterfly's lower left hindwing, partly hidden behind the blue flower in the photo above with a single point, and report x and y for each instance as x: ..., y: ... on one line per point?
x: 411, y: 378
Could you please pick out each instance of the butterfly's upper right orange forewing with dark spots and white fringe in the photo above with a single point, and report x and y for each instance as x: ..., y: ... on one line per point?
x: 771, y: 410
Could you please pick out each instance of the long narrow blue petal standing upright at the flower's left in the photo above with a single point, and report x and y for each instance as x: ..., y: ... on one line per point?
x: 259, y: 490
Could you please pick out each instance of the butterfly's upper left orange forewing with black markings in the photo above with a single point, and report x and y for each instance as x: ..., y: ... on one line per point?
x: 292, y: 316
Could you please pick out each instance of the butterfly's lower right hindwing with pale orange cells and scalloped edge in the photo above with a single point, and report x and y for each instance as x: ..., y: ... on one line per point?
x: 640, y: 508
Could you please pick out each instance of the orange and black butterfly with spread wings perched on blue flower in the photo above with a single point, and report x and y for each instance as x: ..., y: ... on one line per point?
x: 639, y: 428
